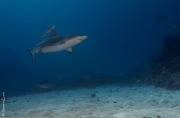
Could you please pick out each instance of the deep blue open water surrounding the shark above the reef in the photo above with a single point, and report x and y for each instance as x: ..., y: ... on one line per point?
x: 122, y: 34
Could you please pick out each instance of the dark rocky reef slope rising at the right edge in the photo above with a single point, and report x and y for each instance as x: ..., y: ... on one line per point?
x: 162, y: 68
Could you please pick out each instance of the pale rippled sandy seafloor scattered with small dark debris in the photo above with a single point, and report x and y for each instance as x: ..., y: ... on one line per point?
x: 110, y: 102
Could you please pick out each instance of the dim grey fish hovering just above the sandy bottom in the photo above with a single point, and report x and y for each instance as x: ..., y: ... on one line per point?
x: 44, y: 84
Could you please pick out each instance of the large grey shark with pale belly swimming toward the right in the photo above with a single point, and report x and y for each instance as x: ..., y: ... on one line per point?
x: 57, y: 43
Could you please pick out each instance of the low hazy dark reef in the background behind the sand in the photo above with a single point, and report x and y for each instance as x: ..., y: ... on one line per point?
x: 86, y: 79
